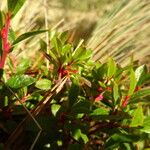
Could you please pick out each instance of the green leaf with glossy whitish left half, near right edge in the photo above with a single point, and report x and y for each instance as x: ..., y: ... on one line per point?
x: 140, y: 74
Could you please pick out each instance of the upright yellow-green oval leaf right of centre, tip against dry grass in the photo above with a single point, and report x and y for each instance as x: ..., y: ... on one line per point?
x: 111, y: 67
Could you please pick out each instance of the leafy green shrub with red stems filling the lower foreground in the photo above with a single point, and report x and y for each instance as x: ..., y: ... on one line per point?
x: 71, y: 102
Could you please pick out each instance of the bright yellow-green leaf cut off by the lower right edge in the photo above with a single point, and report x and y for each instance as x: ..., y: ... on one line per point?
x: 146, y: 125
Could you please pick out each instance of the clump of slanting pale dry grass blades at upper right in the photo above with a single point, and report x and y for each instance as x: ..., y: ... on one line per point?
x: 123, y: 33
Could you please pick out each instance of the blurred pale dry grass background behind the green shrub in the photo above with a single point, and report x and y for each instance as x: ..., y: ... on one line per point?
x: 116, y: 28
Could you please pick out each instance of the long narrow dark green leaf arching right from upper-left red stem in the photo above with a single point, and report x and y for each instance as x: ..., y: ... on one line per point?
x: 27, y: 35
